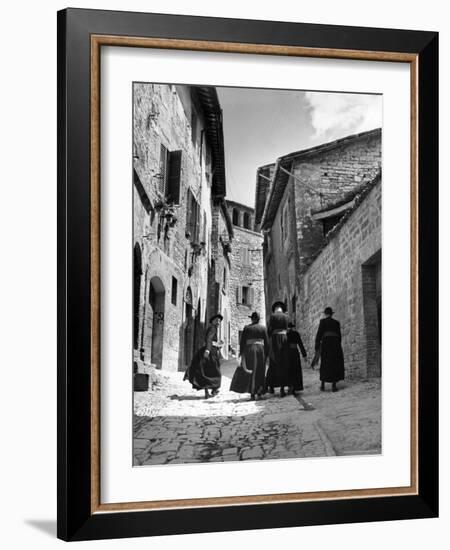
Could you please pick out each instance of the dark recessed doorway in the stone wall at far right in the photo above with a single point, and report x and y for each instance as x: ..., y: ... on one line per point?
x: 372, y: 292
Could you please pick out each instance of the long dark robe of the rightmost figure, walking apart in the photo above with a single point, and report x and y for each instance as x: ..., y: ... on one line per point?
x: 328, y: 340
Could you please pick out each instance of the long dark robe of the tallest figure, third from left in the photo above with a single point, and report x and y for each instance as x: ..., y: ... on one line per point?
x: 278, y: 371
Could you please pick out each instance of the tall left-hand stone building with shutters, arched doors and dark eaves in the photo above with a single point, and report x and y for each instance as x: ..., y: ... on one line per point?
x: 178, y: 177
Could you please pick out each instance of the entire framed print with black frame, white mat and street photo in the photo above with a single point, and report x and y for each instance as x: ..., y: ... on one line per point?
x: 247, y: 254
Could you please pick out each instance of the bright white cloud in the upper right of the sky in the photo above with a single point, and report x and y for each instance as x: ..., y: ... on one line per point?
x: 334, y: 115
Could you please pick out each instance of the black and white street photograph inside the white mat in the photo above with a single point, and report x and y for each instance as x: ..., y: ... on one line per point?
x: 257, y: 286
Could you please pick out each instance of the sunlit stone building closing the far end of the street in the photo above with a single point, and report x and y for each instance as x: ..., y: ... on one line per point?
x: 246, y: 277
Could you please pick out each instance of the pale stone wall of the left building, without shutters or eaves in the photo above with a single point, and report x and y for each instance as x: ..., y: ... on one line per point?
x: 171, y: 314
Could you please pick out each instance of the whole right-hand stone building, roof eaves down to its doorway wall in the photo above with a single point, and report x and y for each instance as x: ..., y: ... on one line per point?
x: 322, y: 242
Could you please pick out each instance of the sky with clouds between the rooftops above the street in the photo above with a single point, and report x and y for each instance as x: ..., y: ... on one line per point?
x: 261, y: 125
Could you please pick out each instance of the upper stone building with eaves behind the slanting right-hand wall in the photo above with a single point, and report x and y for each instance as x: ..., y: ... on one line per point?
x: 323, y: 176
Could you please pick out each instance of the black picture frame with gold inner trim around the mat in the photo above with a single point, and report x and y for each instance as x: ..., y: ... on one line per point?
x: 81, y: 35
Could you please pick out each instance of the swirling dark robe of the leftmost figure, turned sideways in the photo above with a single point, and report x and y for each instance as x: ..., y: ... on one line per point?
x: 204, y: 373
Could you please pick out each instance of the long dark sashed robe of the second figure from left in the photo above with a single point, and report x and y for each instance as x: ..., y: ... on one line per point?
x: 254, y: 358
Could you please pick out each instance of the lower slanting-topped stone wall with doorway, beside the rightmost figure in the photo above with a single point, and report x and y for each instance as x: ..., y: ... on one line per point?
x: 346, y: 276
